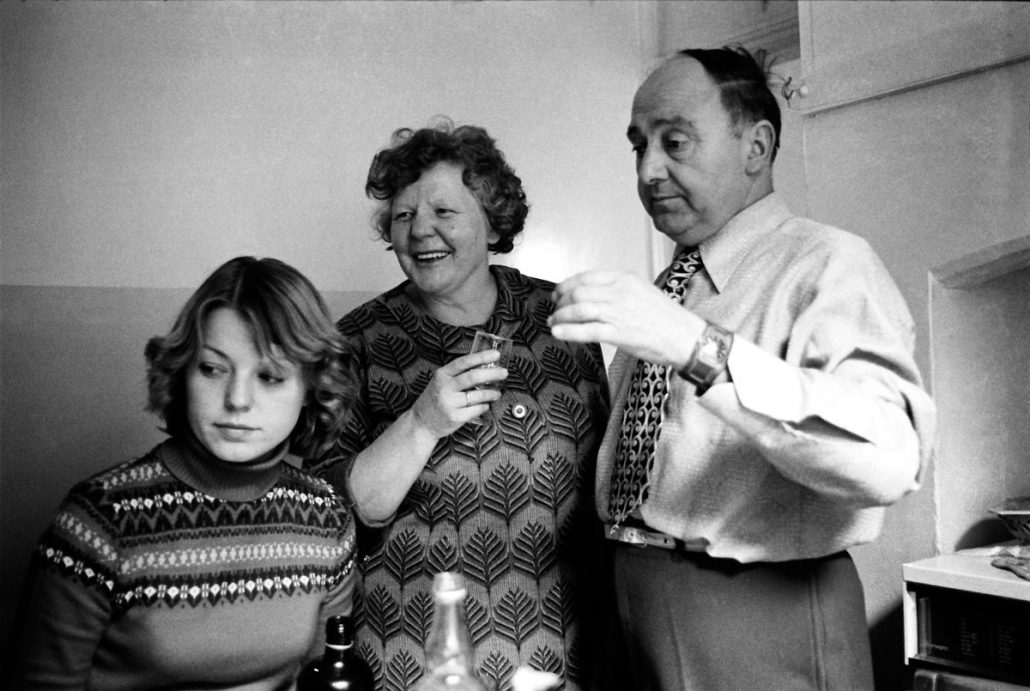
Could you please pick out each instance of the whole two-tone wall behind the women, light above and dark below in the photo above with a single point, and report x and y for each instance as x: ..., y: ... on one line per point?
x: 147, y: 143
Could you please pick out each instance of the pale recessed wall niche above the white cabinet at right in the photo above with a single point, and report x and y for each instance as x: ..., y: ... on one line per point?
x: 981, y: 332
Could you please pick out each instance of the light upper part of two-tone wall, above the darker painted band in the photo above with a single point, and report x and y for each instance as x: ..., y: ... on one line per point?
x: 146, y: 142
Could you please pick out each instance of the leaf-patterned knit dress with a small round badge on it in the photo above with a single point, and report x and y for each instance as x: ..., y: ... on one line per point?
x: 508, y: 504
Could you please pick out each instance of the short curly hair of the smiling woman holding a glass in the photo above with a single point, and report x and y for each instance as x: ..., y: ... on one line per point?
x: 486, y: 174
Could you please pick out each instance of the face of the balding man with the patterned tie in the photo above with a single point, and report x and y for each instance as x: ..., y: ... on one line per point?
x: 691, y: 166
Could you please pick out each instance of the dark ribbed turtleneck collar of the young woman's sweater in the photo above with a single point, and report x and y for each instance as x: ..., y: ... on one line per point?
x: 190, y: 462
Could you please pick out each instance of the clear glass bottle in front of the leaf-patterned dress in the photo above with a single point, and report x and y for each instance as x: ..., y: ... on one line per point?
x: 449, y: 650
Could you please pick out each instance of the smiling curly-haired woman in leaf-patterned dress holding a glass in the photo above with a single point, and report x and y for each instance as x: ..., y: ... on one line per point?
x: 454, y: 466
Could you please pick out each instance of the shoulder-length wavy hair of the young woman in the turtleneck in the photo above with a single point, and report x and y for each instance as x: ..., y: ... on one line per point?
x: 288, y: 318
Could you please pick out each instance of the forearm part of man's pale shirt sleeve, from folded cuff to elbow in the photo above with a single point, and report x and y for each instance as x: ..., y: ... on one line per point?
x: 859, y: 435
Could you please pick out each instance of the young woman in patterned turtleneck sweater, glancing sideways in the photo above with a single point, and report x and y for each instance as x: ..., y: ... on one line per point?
x: 214, y: 562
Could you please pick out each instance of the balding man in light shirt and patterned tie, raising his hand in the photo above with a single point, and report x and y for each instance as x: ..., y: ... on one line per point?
x: 767, y: 406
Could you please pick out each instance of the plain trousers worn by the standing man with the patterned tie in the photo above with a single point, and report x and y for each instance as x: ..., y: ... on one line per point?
x: 691, y: 623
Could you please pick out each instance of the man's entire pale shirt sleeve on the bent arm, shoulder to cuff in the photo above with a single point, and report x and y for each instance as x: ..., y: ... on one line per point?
x: 843, y: 412
